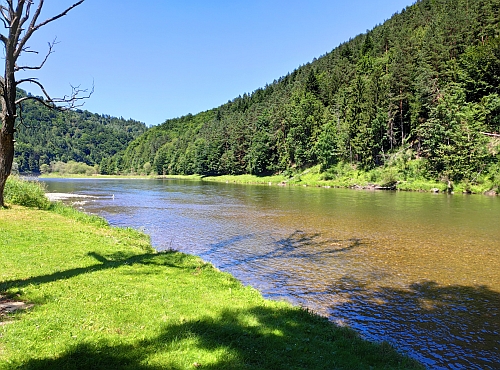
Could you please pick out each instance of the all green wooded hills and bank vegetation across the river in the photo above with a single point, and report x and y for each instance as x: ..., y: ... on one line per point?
x: 413, y: 103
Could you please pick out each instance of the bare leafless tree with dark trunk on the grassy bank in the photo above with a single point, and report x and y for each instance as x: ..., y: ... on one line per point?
x: 20, y: 23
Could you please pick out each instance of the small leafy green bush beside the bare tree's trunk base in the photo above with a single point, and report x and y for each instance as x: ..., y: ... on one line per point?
x: 25, y: 193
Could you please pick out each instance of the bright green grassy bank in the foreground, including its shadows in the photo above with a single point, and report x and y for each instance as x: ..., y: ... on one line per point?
x: 103, y: 299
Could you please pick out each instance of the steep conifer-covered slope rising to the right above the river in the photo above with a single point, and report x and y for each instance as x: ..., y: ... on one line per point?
x: 425, y: 83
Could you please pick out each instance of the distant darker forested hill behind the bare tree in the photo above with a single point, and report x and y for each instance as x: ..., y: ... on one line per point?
x: 45, y: 136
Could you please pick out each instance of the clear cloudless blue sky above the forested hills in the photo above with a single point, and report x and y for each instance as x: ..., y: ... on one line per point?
x: 158, y: 59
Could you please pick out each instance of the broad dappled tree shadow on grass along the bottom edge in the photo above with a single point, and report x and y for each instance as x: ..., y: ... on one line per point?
x: 256, y: 338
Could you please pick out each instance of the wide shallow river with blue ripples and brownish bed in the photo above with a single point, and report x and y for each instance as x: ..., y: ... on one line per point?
x: 421, y: 271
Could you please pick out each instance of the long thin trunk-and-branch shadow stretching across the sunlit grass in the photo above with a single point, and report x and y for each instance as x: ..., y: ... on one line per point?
x: 105, y: 263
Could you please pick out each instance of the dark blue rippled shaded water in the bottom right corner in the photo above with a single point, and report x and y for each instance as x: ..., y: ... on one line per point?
x: 443, y: 326
